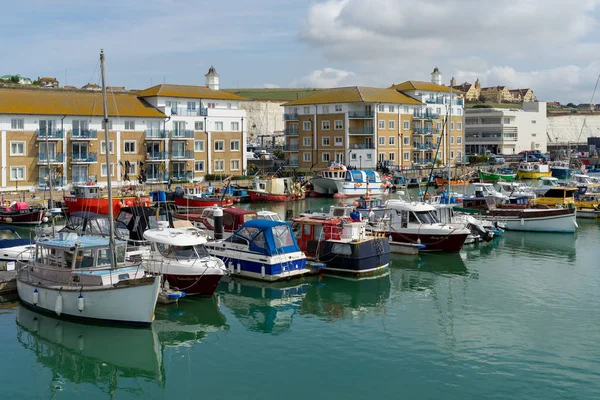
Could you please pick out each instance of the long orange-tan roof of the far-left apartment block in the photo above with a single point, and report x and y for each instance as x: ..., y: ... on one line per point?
x: 65, y: 102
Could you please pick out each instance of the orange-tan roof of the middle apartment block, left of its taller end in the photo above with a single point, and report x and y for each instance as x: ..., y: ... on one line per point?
x: 355, y: 94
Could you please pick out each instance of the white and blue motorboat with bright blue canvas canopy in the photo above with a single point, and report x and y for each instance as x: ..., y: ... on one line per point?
x: 263, y: 250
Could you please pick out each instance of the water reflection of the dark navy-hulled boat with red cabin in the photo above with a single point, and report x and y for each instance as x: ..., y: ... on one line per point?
x: 335, y: 297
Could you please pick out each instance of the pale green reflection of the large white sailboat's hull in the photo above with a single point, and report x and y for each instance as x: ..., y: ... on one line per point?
x: 94, y: 354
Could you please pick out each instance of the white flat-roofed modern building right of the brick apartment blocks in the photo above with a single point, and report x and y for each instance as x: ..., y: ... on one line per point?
x: 506, y: 131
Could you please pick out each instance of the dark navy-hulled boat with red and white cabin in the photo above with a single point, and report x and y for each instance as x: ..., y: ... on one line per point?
x: 344, y: 247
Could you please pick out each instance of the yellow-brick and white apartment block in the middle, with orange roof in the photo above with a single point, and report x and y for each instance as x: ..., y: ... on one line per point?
x: 363, y: 126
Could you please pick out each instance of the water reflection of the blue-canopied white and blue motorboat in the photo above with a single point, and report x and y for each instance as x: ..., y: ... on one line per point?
x: 263, y: 306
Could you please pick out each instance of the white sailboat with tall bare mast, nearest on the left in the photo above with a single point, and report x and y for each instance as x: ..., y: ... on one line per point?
x: 87, y: 278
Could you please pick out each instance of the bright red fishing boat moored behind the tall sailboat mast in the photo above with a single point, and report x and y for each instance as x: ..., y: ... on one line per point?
x: 87, y: 198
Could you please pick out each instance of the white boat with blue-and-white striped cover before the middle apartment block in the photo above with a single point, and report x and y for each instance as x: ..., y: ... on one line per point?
x: 341, y: 183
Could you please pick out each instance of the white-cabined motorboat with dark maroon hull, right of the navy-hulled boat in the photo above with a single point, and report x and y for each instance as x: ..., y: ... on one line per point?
x: 416, y: 222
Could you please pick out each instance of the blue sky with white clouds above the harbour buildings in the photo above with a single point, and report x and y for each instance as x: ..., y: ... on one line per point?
x: 550, y: 46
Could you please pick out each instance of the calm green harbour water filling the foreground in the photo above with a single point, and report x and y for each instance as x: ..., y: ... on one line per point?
x: 517, y: 318
